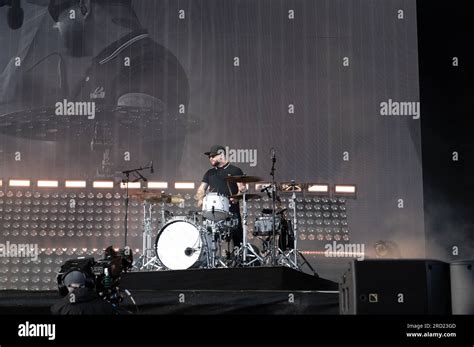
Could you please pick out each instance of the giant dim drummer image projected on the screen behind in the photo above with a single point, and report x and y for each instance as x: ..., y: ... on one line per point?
x: 108, y: 97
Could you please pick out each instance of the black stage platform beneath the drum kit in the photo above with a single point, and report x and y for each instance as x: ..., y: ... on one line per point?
x: 276, y: 290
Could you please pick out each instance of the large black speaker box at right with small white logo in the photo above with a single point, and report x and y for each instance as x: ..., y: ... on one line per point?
x: 385, y: 286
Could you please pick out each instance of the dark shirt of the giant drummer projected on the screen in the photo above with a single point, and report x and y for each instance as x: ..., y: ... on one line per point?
x: 153, y: 70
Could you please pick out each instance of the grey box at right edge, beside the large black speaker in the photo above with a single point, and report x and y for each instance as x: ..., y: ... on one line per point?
x: 462, y: 287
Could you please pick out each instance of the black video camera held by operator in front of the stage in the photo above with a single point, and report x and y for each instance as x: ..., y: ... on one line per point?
x: 102, y: 275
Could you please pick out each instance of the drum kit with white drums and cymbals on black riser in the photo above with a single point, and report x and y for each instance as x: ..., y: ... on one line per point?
x: 201, y: 239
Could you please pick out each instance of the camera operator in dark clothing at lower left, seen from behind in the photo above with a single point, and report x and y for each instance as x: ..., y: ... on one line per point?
x: 82, y: 298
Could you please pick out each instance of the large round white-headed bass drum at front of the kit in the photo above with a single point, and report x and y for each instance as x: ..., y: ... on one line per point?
x: 181, y: 244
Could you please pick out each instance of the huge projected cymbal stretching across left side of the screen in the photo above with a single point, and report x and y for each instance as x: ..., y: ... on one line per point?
x: 43, y: 124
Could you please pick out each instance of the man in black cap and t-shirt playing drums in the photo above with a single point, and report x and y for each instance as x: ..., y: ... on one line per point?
x: 214, y: 180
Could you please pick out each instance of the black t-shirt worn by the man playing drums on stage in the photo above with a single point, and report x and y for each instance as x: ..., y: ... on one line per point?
x: 216, y: 179
